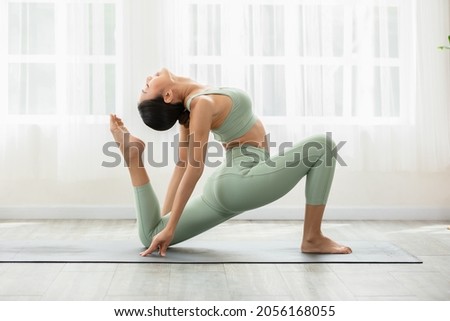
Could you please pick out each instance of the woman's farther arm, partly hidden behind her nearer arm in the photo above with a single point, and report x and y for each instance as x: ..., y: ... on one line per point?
x: 179, y: 170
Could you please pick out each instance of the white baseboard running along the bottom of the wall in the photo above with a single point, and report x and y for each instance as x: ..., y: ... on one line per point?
x: 264, y: 213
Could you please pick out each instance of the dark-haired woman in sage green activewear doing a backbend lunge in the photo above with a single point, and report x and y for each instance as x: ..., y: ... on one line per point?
x: 248, y: 179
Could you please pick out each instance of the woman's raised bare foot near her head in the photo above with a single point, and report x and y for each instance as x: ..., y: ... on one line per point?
x: 130, y: 146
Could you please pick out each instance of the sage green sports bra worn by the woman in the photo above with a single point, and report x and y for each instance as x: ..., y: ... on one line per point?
x: 240, y: 118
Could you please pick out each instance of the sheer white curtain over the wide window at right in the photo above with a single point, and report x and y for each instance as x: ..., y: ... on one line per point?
x: 340, y: 66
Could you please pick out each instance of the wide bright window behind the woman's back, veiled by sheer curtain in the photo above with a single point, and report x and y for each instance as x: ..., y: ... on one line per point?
x: 330, y: 61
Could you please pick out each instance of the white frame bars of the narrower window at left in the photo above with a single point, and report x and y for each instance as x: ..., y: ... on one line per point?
x: 61, y: 58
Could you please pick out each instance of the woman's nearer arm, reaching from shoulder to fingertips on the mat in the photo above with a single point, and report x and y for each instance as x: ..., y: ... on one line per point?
x: 199, y: 127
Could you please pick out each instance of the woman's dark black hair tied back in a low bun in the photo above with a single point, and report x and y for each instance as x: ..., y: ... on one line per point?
x: 160, y: 115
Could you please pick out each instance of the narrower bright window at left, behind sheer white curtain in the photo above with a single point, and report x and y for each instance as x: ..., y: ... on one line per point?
x: 62, y: 58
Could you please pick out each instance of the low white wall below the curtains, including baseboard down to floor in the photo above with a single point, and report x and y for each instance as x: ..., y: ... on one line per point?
x: 355, y: 195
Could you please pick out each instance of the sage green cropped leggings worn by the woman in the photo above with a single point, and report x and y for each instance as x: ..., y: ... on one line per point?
x: 248, y: 179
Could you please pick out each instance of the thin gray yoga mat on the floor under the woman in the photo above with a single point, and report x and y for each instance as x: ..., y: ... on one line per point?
x: 195, y: 251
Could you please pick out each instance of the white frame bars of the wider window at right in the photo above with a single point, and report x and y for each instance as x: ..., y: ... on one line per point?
x: 405, y: 61
